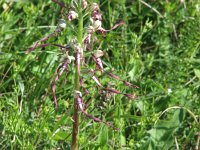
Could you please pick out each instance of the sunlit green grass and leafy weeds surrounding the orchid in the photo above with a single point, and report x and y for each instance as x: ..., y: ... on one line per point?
x: 158, y: 49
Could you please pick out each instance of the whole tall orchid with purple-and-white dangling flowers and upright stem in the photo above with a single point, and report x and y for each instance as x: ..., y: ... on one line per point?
x: 81, y: 49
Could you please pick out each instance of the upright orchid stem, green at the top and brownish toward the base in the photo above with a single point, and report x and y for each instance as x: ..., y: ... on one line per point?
x: 74, y: 144
